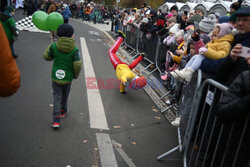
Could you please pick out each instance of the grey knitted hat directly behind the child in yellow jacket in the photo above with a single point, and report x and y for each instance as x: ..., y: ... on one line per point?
x: 207, y: 24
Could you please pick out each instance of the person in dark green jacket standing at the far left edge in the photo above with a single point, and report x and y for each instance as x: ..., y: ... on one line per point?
x: 9, y: 27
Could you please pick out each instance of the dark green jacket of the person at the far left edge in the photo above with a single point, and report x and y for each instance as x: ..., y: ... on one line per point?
x: 9, y: 25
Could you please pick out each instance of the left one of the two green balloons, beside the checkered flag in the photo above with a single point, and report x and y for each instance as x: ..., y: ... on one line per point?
x: 39, y: 18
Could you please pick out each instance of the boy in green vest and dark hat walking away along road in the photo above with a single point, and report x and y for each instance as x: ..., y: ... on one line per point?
x: 66, y: 67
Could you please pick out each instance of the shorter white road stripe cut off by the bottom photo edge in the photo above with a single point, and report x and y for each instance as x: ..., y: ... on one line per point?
x: 106, y: 151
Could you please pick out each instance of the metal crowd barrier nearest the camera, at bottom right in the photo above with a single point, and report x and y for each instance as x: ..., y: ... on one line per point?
x: 208, y: 141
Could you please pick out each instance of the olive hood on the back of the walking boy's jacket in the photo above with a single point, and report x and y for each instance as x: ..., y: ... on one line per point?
x: 65, y: 44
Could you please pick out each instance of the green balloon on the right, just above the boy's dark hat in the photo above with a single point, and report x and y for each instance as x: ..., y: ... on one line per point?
x: 54, y: 20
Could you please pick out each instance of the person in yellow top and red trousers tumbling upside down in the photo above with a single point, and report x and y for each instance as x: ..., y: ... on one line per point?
x: 124, y: 71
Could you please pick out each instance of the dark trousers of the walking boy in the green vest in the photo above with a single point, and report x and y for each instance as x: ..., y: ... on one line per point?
x: 60, y: 97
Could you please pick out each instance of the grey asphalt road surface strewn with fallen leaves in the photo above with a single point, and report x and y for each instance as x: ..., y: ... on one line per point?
x: 27, y: 140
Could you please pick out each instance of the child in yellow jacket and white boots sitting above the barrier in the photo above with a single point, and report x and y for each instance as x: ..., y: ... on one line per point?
x: 218, y: 48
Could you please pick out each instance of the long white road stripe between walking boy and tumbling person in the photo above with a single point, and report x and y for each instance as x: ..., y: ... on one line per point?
x: 96, y: 111
